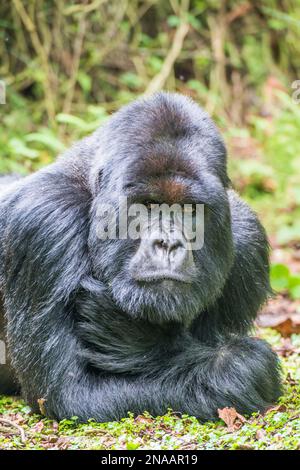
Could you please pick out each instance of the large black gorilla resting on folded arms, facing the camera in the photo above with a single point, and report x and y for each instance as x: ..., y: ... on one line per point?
x: 100, y: 327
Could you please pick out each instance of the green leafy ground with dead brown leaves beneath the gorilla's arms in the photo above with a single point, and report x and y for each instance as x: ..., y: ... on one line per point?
x: 279, y: 428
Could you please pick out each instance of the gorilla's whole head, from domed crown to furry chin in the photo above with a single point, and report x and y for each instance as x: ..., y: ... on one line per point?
x: 162, y: 150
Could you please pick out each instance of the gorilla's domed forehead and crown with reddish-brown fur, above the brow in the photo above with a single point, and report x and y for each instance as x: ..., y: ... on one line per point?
x: 159, y: 136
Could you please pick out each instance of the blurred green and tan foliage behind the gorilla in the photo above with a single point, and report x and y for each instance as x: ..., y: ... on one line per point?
x: 68, y: 64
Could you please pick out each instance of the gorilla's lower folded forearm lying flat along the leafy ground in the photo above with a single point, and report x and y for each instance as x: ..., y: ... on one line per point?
x: 197, y: 381
